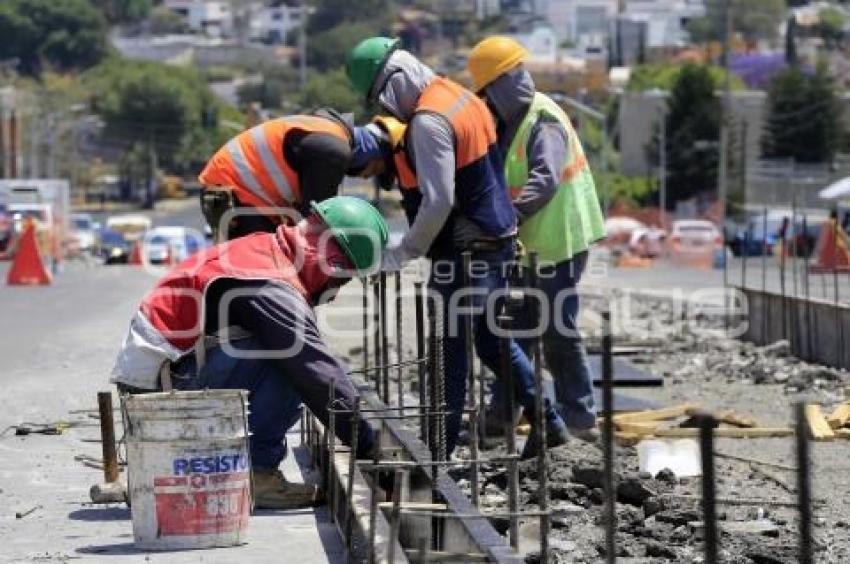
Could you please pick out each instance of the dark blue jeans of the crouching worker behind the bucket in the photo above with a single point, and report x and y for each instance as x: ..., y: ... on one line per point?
x: 275, y: 405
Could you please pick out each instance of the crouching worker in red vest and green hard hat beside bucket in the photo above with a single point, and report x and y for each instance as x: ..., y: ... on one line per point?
x: 254, y: 296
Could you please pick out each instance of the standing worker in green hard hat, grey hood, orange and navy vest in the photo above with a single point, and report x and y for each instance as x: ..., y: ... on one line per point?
x: 450, y: 143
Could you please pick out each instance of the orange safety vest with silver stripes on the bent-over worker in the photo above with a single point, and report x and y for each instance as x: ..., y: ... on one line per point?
x: 253, y: 163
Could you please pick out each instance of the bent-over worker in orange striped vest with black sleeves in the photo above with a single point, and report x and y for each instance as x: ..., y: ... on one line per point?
x: 270, y: 173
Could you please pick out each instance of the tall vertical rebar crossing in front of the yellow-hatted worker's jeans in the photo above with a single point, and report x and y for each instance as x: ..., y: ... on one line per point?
x: 539, y: 411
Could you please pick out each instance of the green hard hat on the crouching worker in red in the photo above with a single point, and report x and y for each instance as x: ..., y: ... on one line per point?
x: 359, y: 229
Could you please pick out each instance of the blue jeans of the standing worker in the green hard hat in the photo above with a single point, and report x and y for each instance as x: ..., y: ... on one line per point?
x: 489, y: 275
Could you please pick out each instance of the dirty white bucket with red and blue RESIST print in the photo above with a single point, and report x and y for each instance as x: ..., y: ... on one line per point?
x: 189, y: 468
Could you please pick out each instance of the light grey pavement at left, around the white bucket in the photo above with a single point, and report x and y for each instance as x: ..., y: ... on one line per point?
x: 58, y: 345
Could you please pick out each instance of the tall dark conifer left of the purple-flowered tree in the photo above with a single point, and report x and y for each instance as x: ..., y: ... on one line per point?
x: 692, y: 133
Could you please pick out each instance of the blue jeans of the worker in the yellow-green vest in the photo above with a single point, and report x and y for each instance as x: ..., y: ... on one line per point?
x: 563, y: 349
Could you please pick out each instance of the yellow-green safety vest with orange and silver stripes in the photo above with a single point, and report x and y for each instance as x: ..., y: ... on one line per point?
x: 572, y: 220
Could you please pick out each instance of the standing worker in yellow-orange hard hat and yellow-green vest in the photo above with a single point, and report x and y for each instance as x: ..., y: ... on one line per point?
x: 553, y: 193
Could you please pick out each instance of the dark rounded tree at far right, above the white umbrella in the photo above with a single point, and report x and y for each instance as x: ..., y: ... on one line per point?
x: 804, y: 117
